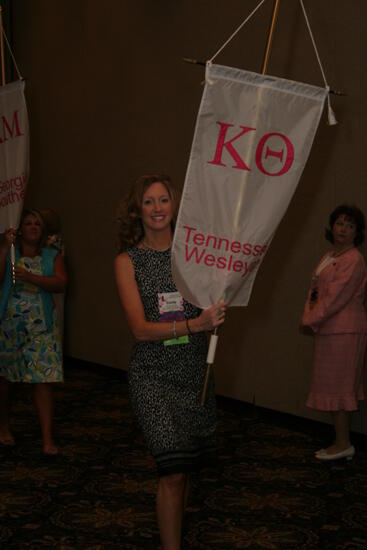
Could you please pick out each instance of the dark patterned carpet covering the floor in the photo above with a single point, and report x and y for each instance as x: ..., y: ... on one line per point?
x: 268, y: 492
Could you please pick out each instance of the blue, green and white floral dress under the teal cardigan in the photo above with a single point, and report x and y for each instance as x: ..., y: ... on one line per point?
x: 29, y: 352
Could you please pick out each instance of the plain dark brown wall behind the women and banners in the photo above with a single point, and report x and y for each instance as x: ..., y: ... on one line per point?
x: 109, y: 98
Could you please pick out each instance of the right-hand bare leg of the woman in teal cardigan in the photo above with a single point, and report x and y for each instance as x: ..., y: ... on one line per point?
x: 43, y: 399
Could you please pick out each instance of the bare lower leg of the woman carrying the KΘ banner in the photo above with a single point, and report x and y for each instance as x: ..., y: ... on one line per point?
x: 170, y: 509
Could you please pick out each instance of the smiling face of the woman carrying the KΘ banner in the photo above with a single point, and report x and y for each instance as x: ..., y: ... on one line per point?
x: 156, y: 208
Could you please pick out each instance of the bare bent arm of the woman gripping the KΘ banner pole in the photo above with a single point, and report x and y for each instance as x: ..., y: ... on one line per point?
x: 144, y: 330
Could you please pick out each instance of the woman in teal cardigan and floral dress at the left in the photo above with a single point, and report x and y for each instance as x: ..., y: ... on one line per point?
x: 29, y: 338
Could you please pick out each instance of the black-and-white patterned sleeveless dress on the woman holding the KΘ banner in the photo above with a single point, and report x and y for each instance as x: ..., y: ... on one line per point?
x: 165, y: 381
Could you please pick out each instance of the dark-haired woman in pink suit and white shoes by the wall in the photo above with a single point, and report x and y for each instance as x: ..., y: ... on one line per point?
x: 335, y: 314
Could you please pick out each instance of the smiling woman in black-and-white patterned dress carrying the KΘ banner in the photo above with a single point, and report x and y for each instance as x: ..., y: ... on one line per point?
x: 167, y: 365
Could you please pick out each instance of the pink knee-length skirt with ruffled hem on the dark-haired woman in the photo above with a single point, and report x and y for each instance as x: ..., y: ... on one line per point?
x: 337, y: 377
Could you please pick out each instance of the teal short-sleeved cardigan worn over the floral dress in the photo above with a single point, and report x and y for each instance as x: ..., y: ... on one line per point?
x: 47, y: 265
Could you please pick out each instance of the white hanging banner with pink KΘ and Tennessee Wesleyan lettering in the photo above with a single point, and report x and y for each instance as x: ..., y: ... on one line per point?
x: 252, y: 139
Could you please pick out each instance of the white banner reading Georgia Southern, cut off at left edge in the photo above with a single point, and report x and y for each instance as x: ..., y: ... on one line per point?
x: 14, y: 153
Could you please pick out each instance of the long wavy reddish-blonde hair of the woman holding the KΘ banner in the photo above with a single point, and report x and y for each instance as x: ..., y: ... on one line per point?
x: 130, y: 229
